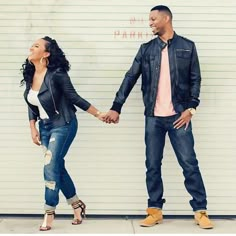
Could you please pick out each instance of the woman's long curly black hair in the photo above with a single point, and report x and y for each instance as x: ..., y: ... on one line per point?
x: 57, y: 59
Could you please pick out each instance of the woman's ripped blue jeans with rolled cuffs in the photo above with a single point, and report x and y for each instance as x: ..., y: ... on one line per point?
x: 56, y: 142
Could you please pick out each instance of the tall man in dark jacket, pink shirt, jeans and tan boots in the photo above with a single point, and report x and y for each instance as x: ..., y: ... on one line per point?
x: 171, y: 82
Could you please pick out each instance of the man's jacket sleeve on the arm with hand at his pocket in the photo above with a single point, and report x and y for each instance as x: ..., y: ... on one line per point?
x: 195, y: 80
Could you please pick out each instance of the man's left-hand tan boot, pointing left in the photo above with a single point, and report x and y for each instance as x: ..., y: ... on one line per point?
x: 154, y: 217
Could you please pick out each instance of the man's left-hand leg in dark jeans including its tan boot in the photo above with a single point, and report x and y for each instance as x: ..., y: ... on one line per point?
x: 155, y: 141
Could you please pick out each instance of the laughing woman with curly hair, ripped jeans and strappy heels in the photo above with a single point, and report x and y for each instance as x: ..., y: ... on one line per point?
x: 51, y: 97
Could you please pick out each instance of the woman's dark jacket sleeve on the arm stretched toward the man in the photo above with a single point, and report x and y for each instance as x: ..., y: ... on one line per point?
x: 64, y: 82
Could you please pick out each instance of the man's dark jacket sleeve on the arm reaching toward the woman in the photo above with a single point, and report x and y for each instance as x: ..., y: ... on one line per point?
x: 128, y: 82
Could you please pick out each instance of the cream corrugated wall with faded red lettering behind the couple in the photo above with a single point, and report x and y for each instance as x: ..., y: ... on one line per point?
x: 101, y: 38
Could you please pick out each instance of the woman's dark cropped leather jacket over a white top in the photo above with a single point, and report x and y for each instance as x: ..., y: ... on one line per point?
x: 58, y: 97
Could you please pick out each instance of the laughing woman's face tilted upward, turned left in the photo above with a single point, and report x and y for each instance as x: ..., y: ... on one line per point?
x: 37, y: 51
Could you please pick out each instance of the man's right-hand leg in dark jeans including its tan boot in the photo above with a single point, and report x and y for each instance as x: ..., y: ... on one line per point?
x: 183, y: 144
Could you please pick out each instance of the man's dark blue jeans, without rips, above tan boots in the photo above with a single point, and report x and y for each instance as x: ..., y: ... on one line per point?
x: 183, y: 144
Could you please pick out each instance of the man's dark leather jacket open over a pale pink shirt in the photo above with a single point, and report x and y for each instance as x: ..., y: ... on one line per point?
x: 184, y: 72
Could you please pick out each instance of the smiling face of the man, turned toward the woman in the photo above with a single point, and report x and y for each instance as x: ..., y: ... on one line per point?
x: 157, y: 21
